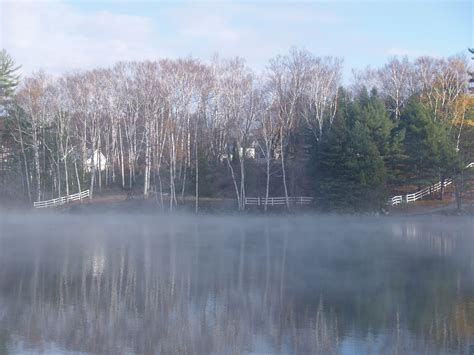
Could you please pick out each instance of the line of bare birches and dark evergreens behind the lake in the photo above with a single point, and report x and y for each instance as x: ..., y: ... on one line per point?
x: 180, y: 128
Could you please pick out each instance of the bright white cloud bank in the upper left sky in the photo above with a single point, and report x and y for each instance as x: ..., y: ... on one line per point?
x: 57, y: 37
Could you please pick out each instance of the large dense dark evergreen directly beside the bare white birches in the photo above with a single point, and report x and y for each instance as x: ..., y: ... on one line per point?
x: 349, y: 169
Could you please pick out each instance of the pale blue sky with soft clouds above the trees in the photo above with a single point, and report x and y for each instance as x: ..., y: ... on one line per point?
x: 62, y: 36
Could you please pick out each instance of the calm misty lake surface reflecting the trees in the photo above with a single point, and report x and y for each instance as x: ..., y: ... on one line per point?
x: 185, y: 284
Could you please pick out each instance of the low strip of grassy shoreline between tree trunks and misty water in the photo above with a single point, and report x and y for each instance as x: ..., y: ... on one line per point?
x: 120, y: 202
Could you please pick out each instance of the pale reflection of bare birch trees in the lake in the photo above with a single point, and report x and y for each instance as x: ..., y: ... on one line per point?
x: 169, y: 294
